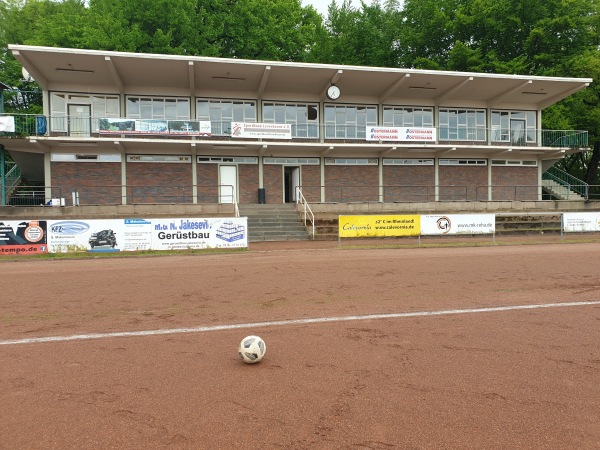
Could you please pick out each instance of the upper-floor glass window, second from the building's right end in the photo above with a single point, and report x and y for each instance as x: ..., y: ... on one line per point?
x: 462, y: 125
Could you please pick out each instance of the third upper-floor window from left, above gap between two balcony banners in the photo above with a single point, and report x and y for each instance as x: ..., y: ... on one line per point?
x: 222, y: 112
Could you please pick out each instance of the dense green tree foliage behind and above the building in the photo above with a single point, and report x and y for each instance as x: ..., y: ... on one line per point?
x: 534, y: 37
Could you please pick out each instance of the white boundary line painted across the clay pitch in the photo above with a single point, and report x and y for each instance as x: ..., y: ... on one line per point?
x: 92, y: 336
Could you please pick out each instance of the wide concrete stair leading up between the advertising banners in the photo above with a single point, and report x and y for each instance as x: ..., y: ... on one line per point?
x: 274, y: 222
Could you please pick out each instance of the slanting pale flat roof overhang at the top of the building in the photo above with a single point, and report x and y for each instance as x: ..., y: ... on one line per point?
x: 73, y: 70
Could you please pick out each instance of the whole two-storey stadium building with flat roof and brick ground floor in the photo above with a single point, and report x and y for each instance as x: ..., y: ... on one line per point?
x: 127, y: 128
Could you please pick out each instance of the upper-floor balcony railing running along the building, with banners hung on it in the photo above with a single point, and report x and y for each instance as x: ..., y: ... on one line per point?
x: 39, y: 125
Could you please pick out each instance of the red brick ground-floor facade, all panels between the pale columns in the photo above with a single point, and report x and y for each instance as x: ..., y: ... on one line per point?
x: 100, y: 182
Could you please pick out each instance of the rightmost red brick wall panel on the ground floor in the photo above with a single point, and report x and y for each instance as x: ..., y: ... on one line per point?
x: 514, y: 183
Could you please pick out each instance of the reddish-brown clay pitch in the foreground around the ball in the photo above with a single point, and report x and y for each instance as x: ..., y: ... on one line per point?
x: 503, y: 379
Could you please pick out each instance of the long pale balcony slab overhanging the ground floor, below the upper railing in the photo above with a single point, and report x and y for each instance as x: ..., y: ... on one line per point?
x: 114, y: 145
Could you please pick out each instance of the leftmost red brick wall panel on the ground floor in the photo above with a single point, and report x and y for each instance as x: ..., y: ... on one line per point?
x: 98, y: 183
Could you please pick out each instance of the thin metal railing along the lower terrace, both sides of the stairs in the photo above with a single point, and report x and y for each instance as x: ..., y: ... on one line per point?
x: 306, y: 195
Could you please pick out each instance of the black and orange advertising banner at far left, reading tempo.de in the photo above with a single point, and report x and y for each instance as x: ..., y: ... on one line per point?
x: 23, y: 237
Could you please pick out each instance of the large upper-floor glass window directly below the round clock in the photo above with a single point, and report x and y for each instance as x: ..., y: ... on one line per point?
x: 349, y: 122
